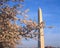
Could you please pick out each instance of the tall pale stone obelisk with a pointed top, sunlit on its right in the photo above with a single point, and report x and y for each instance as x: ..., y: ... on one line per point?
x: 41, y: 32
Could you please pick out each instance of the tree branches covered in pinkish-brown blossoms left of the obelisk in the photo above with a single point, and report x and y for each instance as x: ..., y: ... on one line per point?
x: 10, y: 32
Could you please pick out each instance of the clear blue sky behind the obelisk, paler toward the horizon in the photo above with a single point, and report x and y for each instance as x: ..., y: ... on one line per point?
x: 51, y: 17
